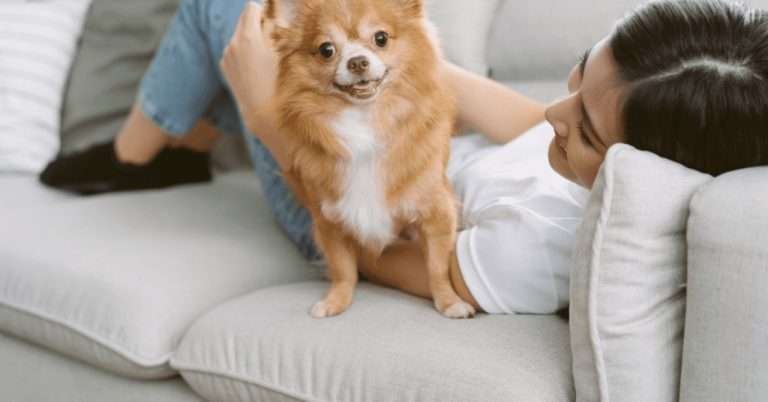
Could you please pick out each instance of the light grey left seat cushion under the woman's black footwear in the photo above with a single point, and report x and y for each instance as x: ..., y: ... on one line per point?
x: 116, y: 280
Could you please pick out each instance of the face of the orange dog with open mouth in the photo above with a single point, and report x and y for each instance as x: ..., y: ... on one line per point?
x: 350, y: 49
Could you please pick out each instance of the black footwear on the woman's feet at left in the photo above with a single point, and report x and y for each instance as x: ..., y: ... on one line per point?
x: 96, y: 170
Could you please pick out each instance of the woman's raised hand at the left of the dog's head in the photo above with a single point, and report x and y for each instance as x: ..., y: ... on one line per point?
x: 249, y: 65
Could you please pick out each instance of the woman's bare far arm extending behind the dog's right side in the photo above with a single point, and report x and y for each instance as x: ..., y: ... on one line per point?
x: 487, y: 107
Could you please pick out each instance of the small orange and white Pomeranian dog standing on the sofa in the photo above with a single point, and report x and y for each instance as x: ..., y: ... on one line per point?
x: 368, y: 122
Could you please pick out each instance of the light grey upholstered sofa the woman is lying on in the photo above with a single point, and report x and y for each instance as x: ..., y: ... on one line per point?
x: 119, y: 290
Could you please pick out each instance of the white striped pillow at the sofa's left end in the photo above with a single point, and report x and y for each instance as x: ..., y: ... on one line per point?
x: 38, y: 39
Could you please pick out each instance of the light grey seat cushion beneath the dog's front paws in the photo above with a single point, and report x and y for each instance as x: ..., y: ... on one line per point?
x: 387, y: 347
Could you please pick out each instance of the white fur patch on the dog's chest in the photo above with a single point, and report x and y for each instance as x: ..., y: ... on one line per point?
x: 362, y: 207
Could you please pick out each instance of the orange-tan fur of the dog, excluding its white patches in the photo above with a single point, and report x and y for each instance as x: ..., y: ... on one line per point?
x: 413, y: 118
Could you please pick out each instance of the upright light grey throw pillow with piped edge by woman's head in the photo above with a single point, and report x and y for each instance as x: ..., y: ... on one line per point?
x: 628, y: 281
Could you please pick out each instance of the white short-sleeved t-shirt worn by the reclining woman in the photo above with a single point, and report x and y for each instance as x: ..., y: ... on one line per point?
x: 517, y: 224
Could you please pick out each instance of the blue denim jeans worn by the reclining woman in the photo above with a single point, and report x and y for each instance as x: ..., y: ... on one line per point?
x: 184, y: 84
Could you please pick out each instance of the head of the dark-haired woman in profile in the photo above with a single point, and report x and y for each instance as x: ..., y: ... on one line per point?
x: 687, y: 80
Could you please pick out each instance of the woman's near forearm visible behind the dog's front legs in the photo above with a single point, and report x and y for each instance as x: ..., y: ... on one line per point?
x: 402, y: 267
